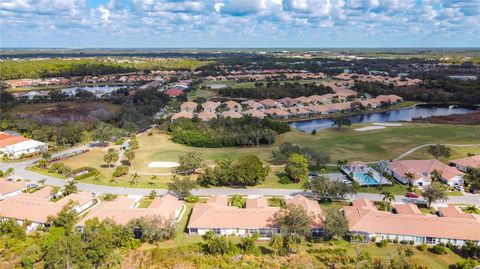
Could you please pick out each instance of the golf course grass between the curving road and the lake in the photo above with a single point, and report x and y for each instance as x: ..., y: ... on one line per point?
x: 345, y: 143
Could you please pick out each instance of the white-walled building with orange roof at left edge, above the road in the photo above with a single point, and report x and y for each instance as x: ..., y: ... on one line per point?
x: 16, y: 146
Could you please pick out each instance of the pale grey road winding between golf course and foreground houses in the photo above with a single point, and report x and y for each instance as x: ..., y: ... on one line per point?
x: 20, y: 171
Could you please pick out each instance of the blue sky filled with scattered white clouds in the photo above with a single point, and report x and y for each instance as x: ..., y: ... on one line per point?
x: 239, y: 23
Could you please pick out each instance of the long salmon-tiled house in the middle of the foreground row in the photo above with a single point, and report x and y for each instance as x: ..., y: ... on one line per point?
x: 257, y: 217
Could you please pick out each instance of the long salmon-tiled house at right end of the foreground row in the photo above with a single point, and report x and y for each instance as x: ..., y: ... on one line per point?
x: 366, y: 220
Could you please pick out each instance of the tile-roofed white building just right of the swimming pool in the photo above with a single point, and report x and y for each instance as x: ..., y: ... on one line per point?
x: 422, y: 172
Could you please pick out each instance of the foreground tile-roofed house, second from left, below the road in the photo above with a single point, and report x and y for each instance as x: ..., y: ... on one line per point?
x: 122, y: 210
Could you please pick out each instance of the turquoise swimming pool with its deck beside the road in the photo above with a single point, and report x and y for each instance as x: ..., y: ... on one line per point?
x: 363, y: 174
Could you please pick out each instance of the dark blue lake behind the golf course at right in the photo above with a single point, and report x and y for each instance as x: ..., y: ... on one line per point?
x: 392, y: 115
